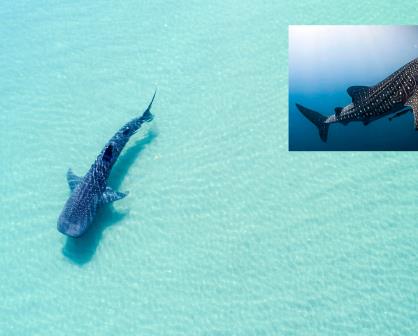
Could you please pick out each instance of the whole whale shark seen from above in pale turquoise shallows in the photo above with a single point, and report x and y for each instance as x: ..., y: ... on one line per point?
x: 88, y: 193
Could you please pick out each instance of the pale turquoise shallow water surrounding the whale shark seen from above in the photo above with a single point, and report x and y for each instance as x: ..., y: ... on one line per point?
x: 224, y: 231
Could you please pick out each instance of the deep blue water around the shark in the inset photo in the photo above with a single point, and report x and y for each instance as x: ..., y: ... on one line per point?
x: 324, y: 61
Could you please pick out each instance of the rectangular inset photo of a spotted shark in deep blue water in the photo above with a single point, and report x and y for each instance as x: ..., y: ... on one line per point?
x: 353, y: 88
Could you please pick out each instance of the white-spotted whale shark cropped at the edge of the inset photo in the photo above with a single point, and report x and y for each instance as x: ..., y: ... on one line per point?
x: 397, y: 94
